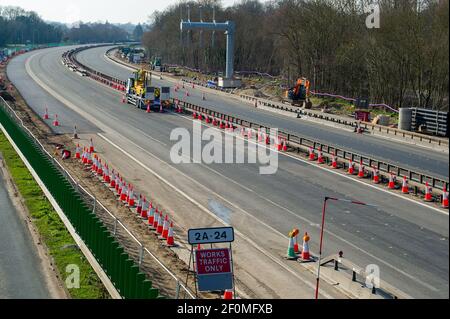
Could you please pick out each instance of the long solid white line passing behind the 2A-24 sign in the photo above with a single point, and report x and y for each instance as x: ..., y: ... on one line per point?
x: 203, y: 208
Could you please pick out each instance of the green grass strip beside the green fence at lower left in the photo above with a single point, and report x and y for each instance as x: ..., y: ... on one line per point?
x: 54, y: 234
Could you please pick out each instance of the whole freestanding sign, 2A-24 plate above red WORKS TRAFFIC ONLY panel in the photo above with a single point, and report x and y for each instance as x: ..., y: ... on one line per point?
x: 213, y: 267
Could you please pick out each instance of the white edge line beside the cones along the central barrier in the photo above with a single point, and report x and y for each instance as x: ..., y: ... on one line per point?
x: 332, y: 171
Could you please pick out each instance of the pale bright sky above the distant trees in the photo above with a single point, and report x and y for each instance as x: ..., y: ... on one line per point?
x: 69, y: 11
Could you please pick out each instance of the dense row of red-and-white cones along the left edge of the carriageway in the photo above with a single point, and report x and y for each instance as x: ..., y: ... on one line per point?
x: 125, y: 192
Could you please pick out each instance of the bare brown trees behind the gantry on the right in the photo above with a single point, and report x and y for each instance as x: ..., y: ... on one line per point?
x: 402, y: 63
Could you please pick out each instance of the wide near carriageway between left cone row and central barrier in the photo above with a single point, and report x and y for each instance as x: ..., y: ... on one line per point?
x: 409, y: 242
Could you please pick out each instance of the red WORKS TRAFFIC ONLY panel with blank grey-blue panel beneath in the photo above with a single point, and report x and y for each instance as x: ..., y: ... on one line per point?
x: 214, y: 269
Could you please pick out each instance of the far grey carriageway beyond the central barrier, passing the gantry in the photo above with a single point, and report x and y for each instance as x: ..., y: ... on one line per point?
x: 405, y: 155
